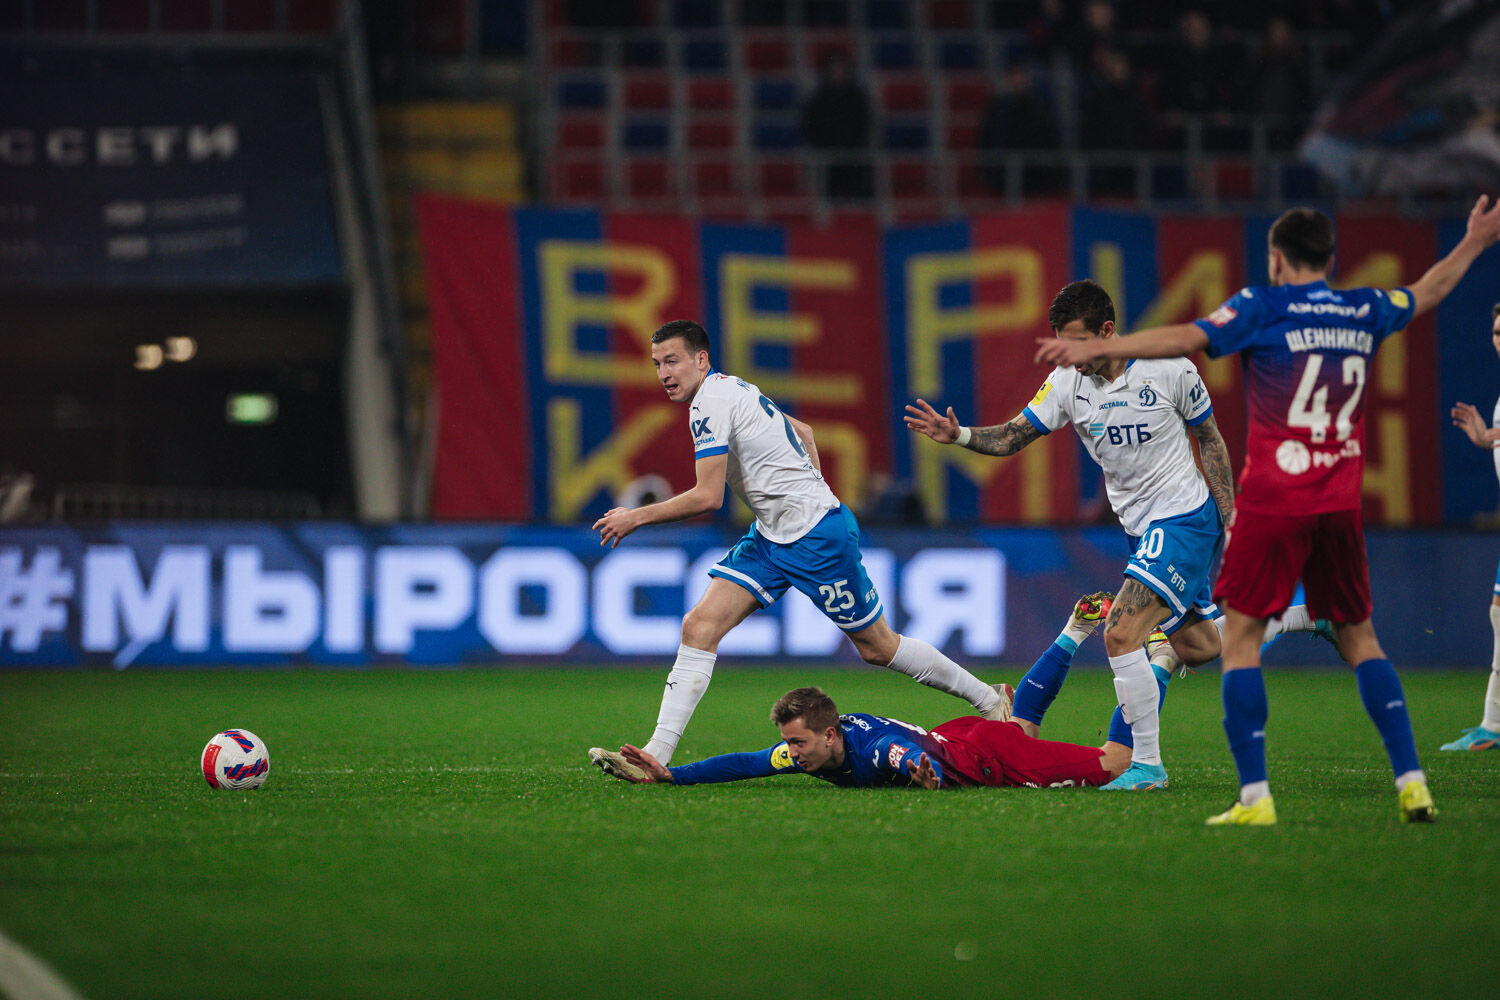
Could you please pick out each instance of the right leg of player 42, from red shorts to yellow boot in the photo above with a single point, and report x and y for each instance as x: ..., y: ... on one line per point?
x: 1337, y: 582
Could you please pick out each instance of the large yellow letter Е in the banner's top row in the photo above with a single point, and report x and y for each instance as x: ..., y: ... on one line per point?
x: 746, y: 328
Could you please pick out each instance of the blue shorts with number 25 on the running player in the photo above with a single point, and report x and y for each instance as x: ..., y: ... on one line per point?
x: 824, y: 564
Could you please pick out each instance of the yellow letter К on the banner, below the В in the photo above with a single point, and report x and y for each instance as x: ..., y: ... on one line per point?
x: 575, y: 479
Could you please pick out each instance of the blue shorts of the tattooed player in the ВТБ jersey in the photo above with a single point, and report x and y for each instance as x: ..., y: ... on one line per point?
x: 1175, y: 558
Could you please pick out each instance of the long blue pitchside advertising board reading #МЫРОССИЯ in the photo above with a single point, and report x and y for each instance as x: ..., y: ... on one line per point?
x: 256, y: 594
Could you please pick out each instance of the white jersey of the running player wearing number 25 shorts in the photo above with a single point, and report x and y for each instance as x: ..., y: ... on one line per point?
x: 769, y: 469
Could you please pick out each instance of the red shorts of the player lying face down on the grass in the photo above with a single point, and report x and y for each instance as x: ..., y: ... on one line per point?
x: 983, y: 752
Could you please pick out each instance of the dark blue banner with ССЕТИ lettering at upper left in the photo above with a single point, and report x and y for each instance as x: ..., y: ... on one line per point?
x: 133, y: 175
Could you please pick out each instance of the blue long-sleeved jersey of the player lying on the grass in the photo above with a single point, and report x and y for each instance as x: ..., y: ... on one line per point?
x: 877, y: 752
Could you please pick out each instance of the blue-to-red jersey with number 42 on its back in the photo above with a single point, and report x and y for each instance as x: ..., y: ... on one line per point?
x: 1306, y: 352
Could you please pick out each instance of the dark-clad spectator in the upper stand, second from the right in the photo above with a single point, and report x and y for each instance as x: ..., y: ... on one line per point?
x: 1198, y: 80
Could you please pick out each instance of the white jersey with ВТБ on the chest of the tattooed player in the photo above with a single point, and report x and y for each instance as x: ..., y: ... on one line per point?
x: 1136, y: 428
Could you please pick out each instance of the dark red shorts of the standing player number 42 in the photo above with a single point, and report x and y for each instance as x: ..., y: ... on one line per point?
x: 1268, y: 554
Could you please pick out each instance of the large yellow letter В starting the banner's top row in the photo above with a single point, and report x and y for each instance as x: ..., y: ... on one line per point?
x: 565, y: 310
